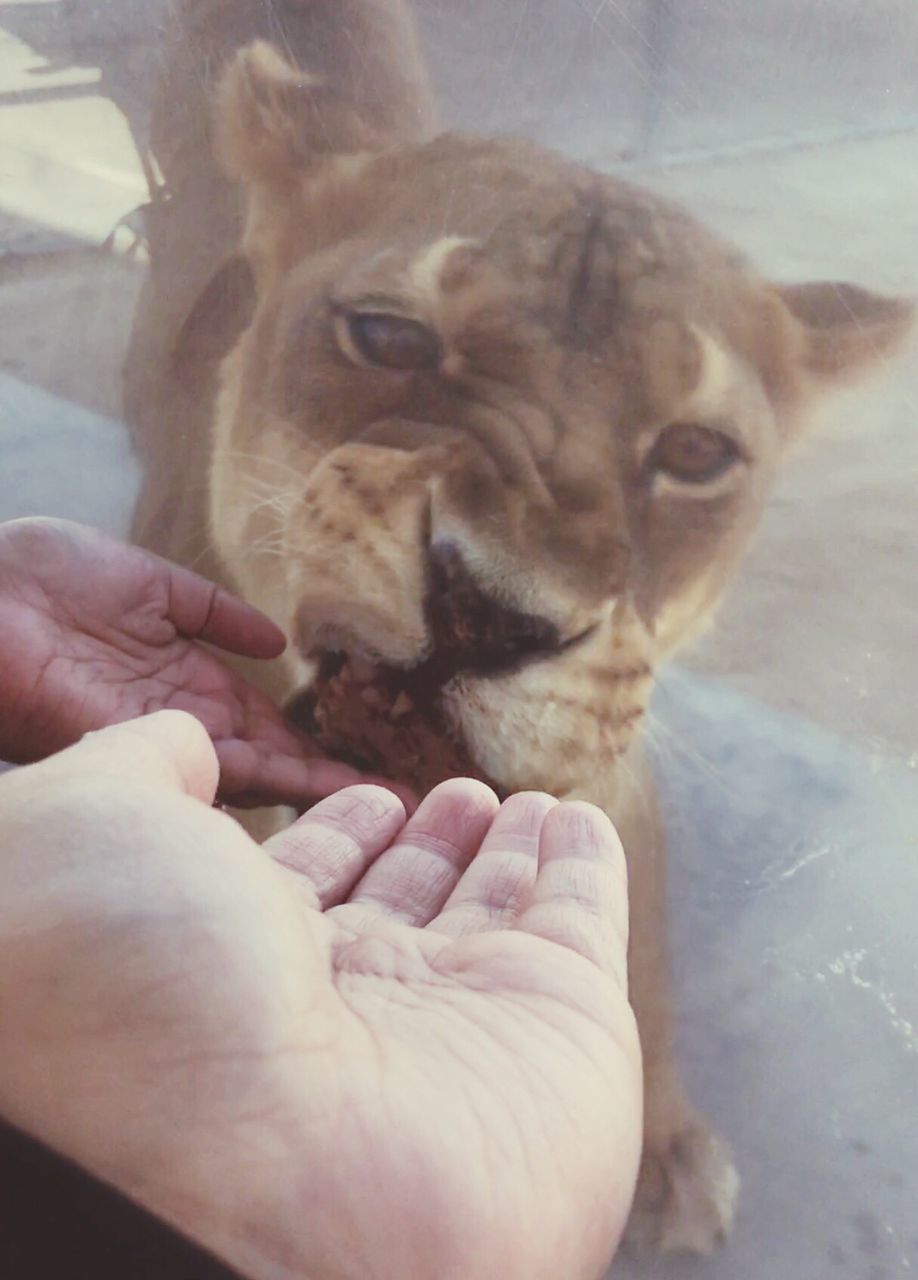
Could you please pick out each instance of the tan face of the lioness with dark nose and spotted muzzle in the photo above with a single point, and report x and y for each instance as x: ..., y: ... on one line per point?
x: 508, y: 417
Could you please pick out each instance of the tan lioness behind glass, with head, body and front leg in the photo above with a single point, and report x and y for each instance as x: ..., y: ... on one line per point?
x: 478, y: 392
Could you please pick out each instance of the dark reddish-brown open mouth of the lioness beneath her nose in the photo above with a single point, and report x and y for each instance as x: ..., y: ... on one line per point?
x: 385, y: 721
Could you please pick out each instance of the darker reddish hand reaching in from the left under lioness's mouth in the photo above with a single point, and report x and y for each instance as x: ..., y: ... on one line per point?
x: 94, y: 633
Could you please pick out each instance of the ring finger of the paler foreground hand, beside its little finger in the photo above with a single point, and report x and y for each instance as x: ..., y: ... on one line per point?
x: 499, y: 883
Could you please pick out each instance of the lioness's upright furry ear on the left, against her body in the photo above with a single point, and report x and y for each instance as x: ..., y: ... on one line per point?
x: 273, y: 121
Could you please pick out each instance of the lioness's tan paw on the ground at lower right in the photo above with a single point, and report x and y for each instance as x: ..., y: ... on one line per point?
x: 687, y: 1194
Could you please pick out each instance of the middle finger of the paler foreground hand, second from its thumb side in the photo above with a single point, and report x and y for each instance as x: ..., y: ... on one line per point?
x: 415, y: 876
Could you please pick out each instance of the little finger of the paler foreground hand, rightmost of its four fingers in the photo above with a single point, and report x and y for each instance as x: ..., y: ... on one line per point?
x: 579, y: 899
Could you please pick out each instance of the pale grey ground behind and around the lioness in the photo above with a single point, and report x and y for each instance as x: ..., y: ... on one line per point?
x: 788, y: 737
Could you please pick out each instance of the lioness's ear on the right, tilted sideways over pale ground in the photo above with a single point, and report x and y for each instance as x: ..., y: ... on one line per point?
x: 842, y: 330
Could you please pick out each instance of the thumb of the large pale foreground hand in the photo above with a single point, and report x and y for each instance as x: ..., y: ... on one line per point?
x: 168, y: 749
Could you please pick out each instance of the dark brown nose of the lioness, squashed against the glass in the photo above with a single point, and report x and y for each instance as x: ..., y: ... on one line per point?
x: 472, y: 628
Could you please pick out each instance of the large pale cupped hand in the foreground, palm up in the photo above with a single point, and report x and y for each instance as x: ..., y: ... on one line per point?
x: 354, y: 1053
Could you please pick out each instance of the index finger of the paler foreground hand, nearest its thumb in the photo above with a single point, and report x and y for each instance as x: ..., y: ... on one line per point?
x: 334, y: 844
